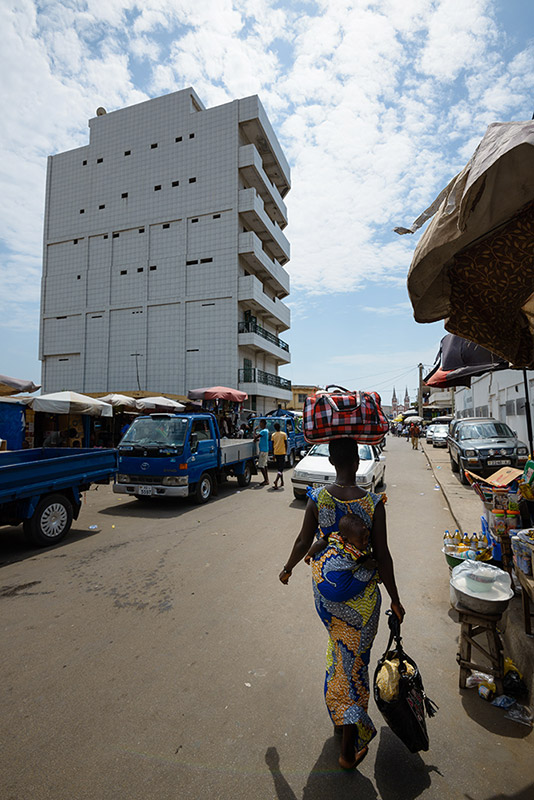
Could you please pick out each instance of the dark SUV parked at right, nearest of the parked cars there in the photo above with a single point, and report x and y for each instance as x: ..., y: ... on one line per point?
x: 482, y: 445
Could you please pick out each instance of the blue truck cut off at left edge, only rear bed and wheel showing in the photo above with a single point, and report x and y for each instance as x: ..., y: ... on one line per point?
x: 42, y: 488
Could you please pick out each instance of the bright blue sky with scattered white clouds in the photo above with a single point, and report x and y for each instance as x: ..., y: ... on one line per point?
x: 377, y: 105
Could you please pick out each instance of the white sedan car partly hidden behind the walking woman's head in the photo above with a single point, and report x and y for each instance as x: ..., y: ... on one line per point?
x: 316, y: 470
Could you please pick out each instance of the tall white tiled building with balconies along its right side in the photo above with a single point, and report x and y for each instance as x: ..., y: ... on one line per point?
x: 164, y: 253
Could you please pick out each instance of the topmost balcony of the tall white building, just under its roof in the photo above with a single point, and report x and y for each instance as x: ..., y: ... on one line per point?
x: 257, y: 129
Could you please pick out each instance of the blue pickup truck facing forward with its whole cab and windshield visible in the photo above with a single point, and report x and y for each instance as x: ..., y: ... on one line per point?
x: 178, y: 455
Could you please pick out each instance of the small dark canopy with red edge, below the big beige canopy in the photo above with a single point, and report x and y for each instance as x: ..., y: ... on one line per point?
x: 459, y: 360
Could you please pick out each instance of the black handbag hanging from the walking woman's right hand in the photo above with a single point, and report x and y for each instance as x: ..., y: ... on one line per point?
x: 405, y: 715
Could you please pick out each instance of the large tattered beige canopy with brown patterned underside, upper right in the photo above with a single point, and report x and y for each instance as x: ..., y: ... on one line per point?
x: 474, y: 265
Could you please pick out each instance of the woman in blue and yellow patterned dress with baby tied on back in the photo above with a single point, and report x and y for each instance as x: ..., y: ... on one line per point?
x: 346, y: 593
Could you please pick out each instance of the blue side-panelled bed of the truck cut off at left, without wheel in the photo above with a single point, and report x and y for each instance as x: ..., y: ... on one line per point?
x: 25, y: 473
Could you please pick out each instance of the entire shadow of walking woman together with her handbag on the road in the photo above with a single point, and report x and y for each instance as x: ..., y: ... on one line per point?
x: 399, y: 775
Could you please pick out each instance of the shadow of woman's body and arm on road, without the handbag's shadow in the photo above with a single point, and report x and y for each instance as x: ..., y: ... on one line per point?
x: 325, y: 781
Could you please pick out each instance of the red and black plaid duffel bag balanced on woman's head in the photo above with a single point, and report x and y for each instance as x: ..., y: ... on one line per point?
x: 332, y: 415
